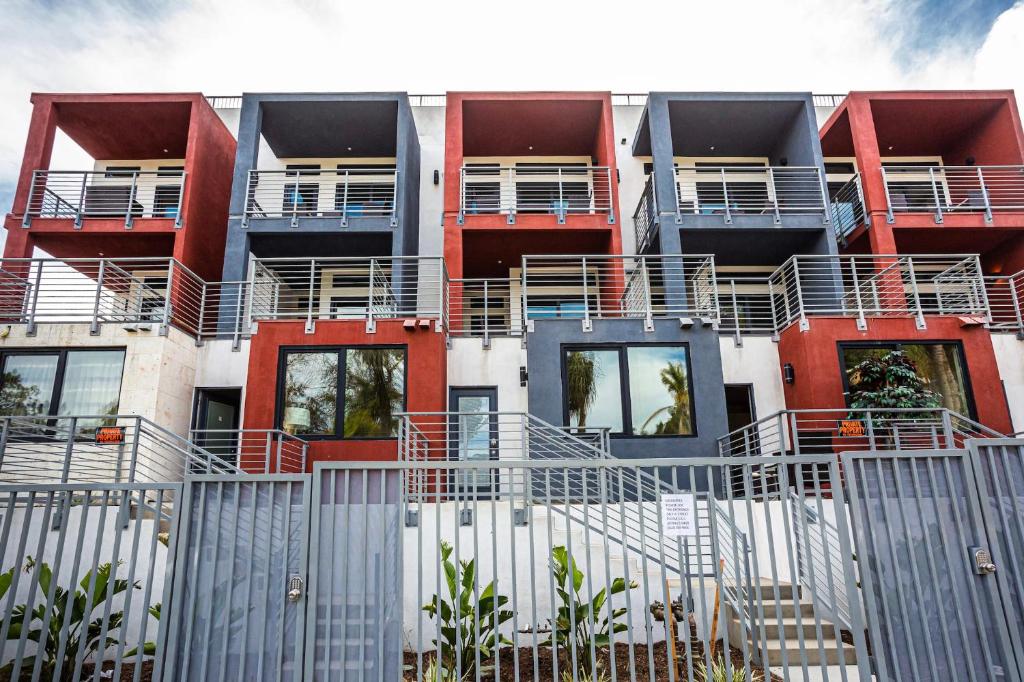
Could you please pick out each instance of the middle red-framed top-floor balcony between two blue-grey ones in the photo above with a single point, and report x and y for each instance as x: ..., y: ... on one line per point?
x: 530, y: 160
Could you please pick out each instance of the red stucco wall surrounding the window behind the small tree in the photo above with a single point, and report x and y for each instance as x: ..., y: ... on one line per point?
x: 815, y: 356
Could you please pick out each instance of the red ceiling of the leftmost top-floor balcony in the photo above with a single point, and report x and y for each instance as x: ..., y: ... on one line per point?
x: 127, y: 130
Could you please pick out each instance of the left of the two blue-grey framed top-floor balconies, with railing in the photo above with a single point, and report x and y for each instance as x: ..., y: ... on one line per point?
x: 327, y: 162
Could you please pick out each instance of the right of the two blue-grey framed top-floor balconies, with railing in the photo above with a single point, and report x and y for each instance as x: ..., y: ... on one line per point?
x: 724, y: 161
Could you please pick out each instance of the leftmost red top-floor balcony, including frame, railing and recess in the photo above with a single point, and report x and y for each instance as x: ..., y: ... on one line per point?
x: 158, y: 165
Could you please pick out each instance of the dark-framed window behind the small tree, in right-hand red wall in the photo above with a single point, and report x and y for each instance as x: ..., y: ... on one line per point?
x: 942, y: 365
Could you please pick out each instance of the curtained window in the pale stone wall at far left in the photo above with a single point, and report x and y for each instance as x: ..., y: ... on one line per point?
x: 63, y: 382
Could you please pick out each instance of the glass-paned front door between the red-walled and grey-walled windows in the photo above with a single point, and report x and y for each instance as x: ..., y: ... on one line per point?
x: 475, y: 437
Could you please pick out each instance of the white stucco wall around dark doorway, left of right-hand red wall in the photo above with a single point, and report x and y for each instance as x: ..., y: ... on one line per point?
x: 755, y: 363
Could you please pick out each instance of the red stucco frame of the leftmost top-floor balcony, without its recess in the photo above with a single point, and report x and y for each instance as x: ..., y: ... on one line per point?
x: 132, y: 126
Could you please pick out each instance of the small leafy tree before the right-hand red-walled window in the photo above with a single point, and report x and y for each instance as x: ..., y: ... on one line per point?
x: 889, y: 382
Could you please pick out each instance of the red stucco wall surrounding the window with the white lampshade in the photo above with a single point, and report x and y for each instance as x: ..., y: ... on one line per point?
x: 426, y: 376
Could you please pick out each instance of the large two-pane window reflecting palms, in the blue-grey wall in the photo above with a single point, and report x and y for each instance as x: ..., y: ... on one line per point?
x: 639, y: 391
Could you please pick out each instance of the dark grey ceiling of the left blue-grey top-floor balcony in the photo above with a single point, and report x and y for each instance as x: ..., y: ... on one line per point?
x: 331, y: 130
